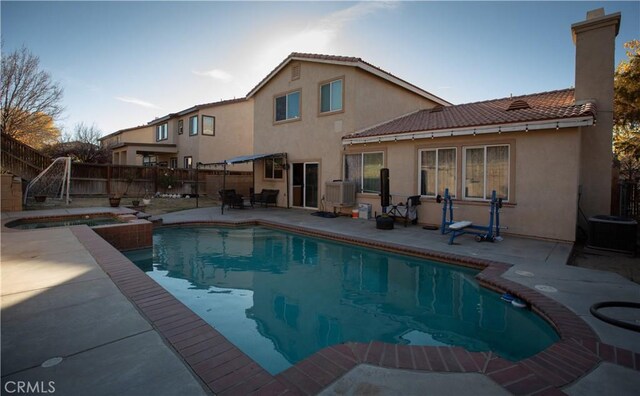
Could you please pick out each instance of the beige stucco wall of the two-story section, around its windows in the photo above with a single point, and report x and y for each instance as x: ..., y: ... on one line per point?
x: 315, y: 137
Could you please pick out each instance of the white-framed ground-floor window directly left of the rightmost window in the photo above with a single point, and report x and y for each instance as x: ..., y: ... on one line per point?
x: 437, y: 171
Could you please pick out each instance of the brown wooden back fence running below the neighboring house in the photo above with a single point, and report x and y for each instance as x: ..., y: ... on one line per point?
x: 137, y: 181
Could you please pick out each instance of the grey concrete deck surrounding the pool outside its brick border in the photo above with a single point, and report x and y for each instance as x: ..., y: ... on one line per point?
x: 101, y: 357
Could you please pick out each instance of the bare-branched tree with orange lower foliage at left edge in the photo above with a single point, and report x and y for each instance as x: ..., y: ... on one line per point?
x: 31, y: 100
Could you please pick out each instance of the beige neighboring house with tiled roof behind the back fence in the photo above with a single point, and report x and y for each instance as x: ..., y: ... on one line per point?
x: 204, y: 133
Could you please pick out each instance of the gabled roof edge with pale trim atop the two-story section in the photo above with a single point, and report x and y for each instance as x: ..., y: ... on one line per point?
x: 354, y: 61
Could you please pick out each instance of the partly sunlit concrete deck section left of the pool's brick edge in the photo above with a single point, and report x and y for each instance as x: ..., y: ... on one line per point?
x: 57, y: 302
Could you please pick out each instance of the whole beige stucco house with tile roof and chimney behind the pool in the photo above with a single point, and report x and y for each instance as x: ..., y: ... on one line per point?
x: 548, y: 155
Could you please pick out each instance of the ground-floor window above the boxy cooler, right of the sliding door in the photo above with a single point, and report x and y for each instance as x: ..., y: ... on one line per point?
x: 364, y: 170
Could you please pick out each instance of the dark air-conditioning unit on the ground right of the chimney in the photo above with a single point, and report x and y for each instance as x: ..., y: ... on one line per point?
x: 613, y: 233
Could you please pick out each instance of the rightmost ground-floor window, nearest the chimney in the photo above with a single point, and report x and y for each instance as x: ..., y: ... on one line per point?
x: 486, y: 168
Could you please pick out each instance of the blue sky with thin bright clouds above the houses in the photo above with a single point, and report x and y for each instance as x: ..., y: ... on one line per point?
x: 122, y: 63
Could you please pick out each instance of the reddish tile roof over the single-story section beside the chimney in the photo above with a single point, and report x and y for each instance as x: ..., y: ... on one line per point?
x: 550, y: 105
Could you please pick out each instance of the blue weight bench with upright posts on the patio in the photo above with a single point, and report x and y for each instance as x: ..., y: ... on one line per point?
x: 490, y: 232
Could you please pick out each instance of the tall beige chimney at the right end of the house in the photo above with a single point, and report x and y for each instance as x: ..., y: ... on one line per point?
x: 594, y: 39
